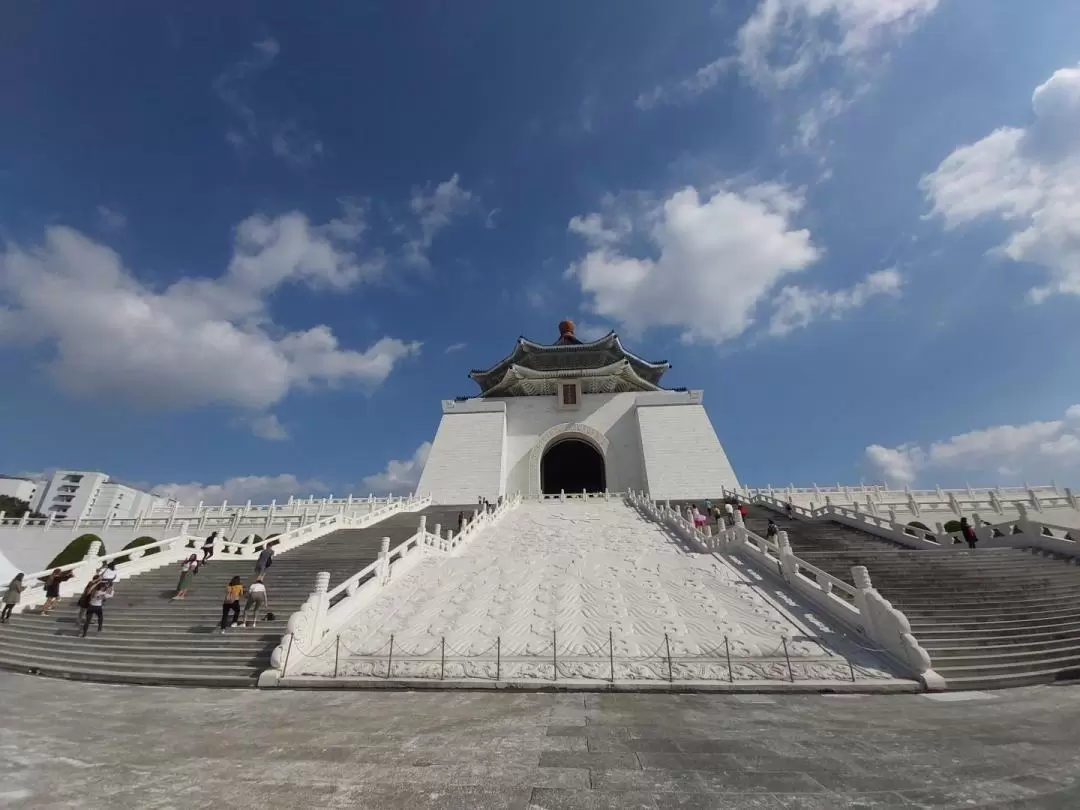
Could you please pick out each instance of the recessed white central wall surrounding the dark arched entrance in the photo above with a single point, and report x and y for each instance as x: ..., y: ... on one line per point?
x: 613, y: 415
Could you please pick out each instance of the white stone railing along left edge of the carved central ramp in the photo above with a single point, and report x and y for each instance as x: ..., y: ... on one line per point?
x: 328, y: 611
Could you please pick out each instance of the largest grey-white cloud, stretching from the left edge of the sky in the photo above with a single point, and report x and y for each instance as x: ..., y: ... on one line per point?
x: 199, y: 341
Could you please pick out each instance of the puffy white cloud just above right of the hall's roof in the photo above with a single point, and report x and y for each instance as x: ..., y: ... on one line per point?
x: 713, y: 258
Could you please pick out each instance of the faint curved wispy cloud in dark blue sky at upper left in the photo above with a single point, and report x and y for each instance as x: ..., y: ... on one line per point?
x: 287, y: 140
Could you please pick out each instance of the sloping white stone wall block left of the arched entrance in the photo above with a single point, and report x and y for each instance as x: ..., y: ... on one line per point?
x: 467, y: 458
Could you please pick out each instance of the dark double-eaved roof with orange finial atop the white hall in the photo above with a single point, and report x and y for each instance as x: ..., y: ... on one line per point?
x: 603, y: 367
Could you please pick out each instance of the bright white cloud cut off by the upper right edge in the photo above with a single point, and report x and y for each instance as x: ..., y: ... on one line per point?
x: 1029, y: 179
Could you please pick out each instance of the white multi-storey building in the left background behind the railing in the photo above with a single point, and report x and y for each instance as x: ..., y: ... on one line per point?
x: 82, y: 495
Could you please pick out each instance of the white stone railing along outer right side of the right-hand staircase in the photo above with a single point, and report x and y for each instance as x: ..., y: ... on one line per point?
x: 1022, y: 533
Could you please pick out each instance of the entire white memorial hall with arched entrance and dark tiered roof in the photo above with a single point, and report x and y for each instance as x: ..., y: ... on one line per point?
x: 575, y: 416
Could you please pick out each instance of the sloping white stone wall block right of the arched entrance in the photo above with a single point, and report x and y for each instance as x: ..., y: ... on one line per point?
x: 682, y: 454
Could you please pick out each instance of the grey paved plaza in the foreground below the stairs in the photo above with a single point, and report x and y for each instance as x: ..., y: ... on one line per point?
x: 88, y: 746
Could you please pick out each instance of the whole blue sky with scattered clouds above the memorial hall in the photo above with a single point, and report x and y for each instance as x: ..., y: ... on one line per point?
x: 248, y: 254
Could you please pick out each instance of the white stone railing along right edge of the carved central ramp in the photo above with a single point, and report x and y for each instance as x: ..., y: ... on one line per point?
x: 861, y: 609
